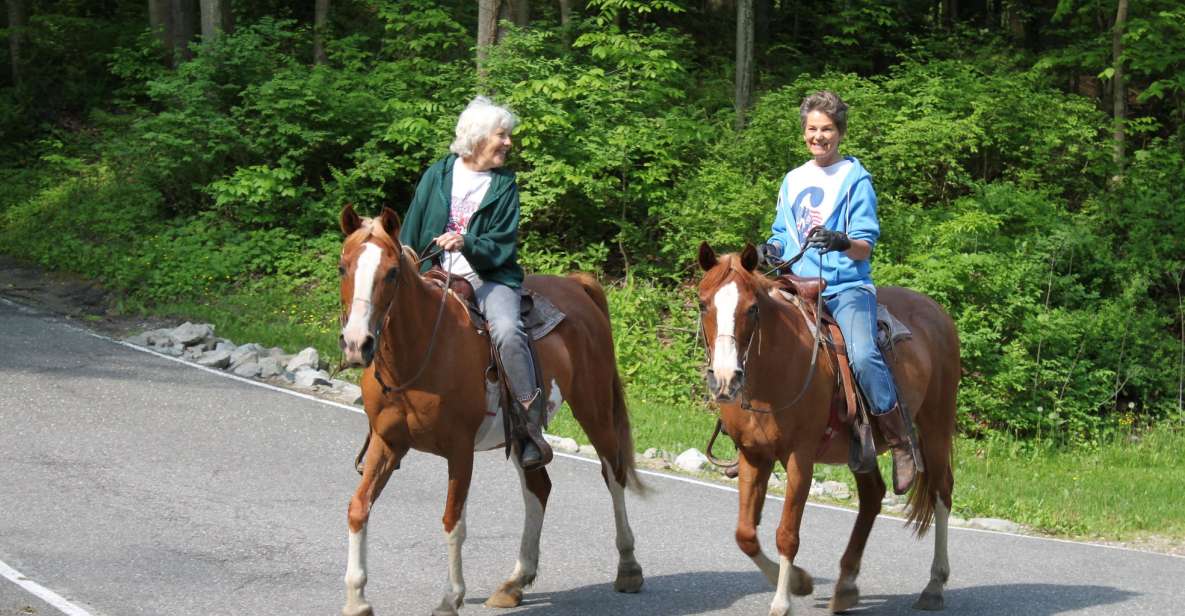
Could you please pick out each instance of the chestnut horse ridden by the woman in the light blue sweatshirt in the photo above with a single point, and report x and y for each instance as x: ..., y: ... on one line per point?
x: 761, y: 354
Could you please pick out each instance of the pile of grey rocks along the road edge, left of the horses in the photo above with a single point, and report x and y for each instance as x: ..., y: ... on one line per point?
x: 197, y: 343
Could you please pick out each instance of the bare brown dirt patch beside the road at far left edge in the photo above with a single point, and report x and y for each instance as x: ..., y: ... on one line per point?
x: 72, y: 298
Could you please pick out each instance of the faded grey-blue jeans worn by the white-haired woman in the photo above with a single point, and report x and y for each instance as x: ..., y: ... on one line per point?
x: 501, y: 305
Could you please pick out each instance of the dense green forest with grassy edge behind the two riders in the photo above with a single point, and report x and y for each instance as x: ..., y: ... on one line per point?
x: 194, y: 156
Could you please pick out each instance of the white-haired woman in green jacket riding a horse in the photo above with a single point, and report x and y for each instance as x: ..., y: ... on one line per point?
x: 467, y: 204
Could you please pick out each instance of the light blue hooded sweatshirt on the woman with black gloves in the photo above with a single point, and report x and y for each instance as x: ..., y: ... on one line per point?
x: 855, y: 214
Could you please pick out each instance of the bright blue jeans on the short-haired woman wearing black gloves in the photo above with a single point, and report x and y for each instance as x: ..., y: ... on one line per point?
x: 856, y: 312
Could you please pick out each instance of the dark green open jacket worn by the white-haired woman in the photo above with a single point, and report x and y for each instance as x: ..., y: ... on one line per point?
x: 491, y: 241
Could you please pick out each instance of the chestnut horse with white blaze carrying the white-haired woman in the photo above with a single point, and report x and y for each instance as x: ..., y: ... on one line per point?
x: 424, y: 388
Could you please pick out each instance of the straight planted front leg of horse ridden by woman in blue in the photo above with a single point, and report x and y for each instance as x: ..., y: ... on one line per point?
x: 792, y: 580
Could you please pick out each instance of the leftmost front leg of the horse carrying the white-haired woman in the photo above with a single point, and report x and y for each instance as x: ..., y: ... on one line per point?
x: 381, y: 461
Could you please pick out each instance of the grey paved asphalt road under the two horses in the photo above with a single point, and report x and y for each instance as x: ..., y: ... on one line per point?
x: 134, y: 485
